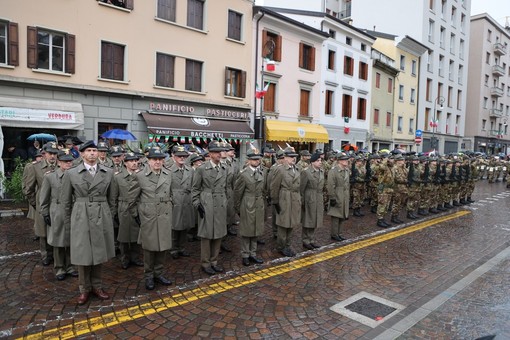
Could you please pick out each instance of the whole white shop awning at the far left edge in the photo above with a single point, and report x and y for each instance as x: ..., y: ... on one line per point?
x: 40, y: 113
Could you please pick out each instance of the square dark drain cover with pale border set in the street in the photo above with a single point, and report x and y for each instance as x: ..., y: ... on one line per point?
x: 367, y: 309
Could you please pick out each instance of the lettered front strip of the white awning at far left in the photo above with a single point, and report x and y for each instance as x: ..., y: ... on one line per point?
x: 36, y: 115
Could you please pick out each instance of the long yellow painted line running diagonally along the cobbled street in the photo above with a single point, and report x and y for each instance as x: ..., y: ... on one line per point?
x: 79, y: 328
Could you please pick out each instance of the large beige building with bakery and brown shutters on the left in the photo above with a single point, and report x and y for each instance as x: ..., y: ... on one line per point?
x: 167, y: 70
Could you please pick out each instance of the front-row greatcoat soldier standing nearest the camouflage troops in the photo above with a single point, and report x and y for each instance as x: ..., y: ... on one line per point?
x: 338, y: 185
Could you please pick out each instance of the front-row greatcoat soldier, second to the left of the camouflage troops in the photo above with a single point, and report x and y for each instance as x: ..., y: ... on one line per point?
x: 312, y: 192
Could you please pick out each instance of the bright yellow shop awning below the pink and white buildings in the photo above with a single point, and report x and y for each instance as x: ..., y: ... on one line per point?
x: 277, y: 130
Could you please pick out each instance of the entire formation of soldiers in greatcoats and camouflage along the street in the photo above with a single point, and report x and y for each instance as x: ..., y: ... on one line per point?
x: 92, y: 201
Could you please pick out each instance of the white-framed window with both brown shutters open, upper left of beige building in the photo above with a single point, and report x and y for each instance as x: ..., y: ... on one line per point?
x: 50, y: 51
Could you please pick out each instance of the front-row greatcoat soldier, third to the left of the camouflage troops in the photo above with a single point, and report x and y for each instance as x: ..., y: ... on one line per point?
x: 286, y: 198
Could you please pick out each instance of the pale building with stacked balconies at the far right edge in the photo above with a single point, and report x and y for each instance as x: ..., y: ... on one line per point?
x: 488, y: 103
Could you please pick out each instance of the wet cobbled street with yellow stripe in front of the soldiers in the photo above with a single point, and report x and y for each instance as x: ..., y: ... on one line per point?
x: 445, y: 276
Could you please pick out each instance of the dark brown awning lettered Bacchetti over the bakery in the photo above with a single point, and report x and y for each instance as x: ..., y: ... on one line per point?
x: 197, y: 127
